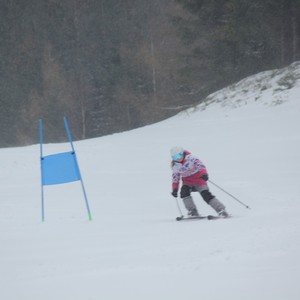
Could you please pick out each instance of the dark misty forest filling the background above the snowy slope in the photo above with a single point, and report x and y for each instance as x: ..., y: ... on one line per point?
x: 114, y: 65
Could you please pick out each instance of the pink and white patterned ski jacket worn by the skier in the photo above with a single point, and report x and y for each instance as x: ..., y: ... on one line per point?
x: 189, y: 170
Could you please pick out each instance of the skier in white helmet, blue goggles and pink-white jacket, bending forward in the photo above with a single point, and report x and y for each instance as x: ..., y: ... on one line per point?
x: 194, y: 178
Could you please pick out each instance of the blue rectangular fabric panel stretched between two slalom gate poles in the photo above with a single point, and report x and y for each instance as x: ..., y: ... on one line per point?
x: 60, y: 168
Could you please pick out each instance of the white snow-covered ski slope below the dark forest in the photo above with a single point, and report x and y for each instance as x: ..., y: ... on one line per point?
x: 249, y: 139
